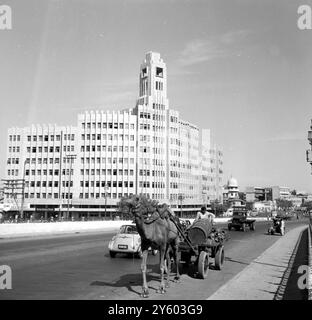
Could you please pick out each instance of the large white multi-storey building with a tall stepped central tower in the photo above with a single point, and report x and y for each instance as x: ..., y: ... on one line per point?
x: 85, y: 170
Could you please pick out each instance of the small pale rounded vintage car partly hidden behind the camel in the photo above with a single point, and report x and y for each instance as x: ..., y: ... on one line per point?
x: 127, y: 240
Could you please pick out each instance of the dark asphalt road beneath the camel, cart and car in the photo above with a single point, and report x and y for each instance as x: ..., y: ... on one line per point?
x: 79, y: 267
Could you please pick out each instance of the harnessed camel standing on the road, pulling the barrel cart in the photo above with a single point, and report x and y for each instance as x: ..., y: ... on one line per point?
x: 158, y: 231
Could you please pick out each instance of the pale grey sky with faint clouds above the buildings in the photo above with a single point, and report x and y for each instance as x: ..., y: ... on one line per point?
x: 239, y: 67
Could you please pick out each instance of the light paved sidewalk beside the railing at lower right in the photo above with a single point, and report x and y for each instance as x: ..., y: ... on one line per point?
x: 262, y: 278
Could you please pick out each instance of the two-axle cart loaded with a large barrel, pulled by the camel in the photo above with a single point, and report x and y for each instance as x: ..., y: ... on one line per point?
x: 200, y: 243
